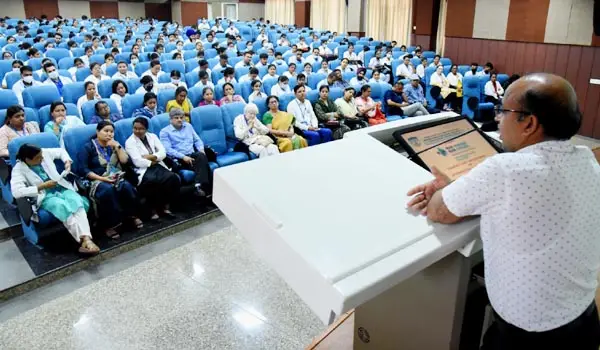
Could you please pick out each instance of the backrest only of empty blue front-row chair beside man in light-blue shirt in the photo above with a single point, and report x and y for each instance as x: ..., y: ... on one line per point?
x: 208, y: 123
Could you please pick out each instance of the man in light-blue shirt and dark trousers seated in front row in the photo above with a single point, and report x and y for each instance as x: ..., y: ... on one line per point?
x: 185, y: 150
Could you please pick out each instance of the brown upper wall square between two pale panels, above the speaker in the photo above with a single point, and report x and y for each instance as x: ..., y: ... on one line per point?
x: 527, y: 20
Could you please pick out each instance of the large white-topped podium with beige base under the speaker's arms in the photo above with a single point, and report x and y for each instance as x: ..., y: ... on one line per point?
x: 332, y: 221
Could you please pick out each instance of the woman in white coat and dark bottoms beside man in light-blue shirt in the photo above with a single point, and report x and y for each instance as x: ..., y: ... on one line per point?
x: 156, y: 182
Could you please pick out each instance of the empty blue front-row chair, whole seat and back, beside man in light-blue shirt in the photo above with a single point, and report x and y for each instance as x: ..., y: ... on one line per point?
x: 209, y: 125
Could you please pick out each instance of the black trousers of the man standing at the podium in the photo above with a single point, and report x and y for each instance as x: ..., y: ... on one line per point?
x: 583, y: 333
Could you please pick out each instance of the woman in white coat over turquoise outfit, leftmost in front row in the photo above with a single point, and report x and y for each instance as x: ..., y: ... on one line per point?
x: 35, y: 176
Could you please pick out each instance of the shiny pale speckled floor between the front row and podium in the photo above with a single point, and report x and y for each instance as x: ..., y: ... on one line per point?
x: 209, y: 292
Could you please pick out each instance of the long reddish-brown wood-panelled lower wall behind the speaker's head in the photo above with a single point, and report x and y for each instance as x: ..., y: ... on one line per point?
x: 576, y: 63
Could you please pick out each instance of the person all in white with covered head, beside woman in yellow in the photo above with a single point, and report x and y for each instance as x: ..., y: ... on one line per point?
x: 249, y: 130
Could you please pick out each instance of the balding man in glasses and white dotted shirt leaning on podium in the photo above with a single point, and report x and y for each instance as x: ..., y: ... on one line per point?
x: 539, y: 220
